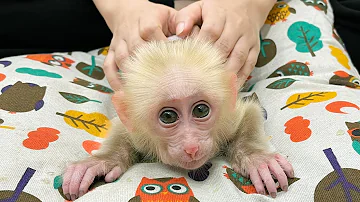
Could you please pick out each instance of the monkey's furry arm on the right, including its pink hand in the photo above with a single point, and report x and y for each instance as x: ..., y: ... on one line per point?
x: 250, y: 153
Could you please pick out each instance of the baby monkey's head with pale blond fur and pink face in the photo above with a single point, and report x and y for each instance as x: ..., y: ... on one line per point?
x: 177, y: 101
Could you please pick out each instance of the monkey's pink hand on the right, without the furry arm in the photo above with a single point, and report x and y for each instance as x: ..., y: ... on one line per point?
x: 261, y: 168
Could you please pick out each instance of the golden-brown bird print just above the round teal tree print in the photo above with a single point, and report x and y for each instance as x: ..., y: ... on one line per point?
x: 280, y: 12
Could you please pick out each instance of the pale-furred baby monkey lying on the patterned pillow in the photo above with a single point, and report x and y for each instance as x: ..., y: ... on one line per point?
x: 179, y: 105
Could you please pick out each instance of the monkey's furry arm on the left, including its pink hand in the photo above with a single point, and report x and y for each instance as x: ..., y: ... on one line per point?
x: 114, y: 157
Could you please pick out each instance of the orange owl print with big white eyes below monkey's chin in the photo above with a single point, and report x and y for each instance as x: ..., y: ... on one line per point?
x: 164, y: 190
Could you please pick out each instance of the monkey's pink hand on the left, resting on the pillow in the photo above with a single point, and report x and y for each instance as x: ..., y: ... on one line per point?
x: 79, y: 176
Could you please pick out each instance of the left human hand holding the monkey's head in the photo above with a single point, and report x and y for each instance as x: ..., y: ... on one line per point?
x: 132, y: 23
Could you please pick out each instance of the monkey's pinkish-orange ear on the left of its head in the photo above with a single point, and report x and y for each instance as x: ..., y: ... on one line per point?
x: 121, y: 109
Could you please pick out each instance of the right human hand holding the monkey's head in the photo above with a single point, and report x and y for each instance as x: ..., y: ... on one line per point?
x: 234, y: 26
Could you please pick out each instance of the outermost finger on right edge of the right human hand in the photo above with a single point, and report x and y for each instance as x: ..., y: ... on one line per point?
x: 249, y: 66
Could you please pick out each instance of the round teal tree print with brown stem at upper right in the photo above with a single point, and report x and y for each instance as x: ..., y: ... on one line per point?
x: 306, y: 37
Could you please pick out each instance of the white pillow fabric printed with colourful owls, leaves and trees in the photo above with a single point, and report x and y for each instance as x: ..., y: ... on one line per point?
x: 55, y: 108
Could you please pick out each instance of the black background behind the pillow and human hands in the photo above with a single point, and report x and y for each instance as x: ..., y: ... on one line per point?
x: 35, y: 26
